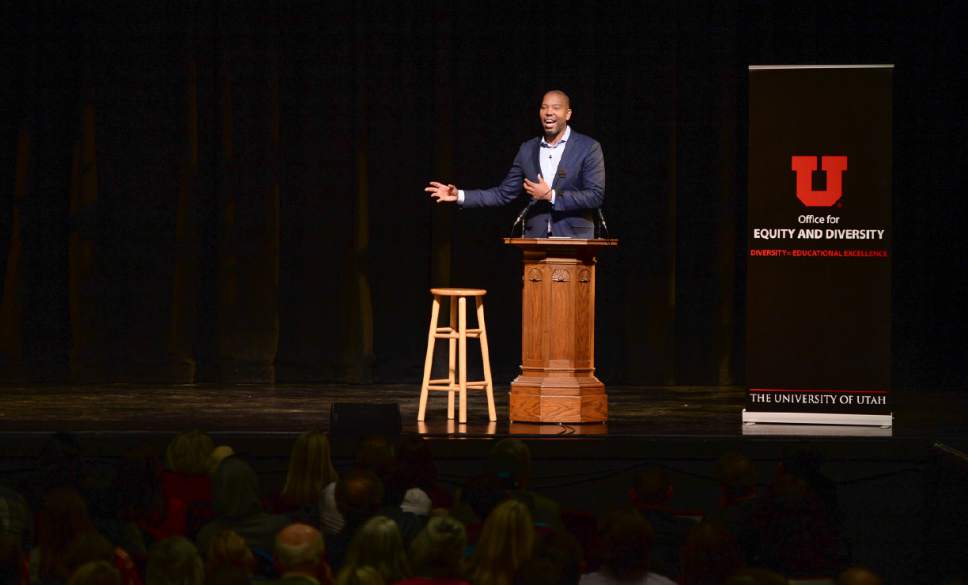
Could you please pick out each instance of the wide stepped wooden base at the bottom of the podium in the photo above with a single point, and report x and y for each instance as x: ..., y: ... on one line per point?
x: 556, y: 400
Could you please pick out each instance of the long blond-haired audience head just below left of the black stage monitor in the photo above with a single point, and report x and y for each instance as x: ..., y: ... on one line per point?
x: 310, y: 469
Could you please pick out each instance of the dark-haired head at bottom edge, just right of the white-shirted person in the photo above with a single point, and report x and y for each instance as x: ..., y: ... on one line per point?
x: 709, y: 555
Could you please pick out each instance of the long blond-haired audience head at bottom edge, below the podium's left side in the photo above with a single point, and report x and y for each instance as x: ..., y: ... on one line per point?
x: 506, y: 543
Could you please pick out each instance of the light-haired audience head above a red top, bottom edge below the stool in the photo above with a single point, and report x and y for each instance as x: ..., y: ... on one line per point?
x: 436, y: 552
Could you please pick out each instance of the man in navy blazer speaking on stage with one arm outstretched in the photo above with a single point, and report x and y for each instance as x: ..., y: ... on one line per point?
x: 563, y: 173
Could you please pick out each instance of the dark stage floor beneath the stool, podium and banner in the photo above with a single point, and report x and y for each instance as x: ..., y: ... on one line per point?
x: 635, y: 412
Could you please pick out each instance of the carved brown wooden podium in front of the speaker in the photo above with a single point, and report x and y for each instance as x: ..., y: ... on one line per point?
x: 557, y: 383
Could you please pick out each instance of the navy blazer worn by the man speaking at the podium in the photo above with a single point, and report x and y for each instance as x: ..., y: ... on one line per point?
x: 579, y: 188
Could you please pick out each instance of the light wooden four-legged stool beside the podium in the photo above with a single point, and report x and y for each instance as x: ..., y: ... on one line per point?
x: 457, y: 334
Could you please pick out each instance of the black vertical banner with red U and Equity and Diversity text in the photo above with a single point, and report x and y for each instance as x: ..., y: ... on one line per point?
x: 819, y: 239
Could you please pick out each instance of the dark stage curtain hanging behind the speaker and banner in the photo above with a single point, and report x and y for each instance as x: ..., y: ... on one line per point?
x: 206, y: 191
